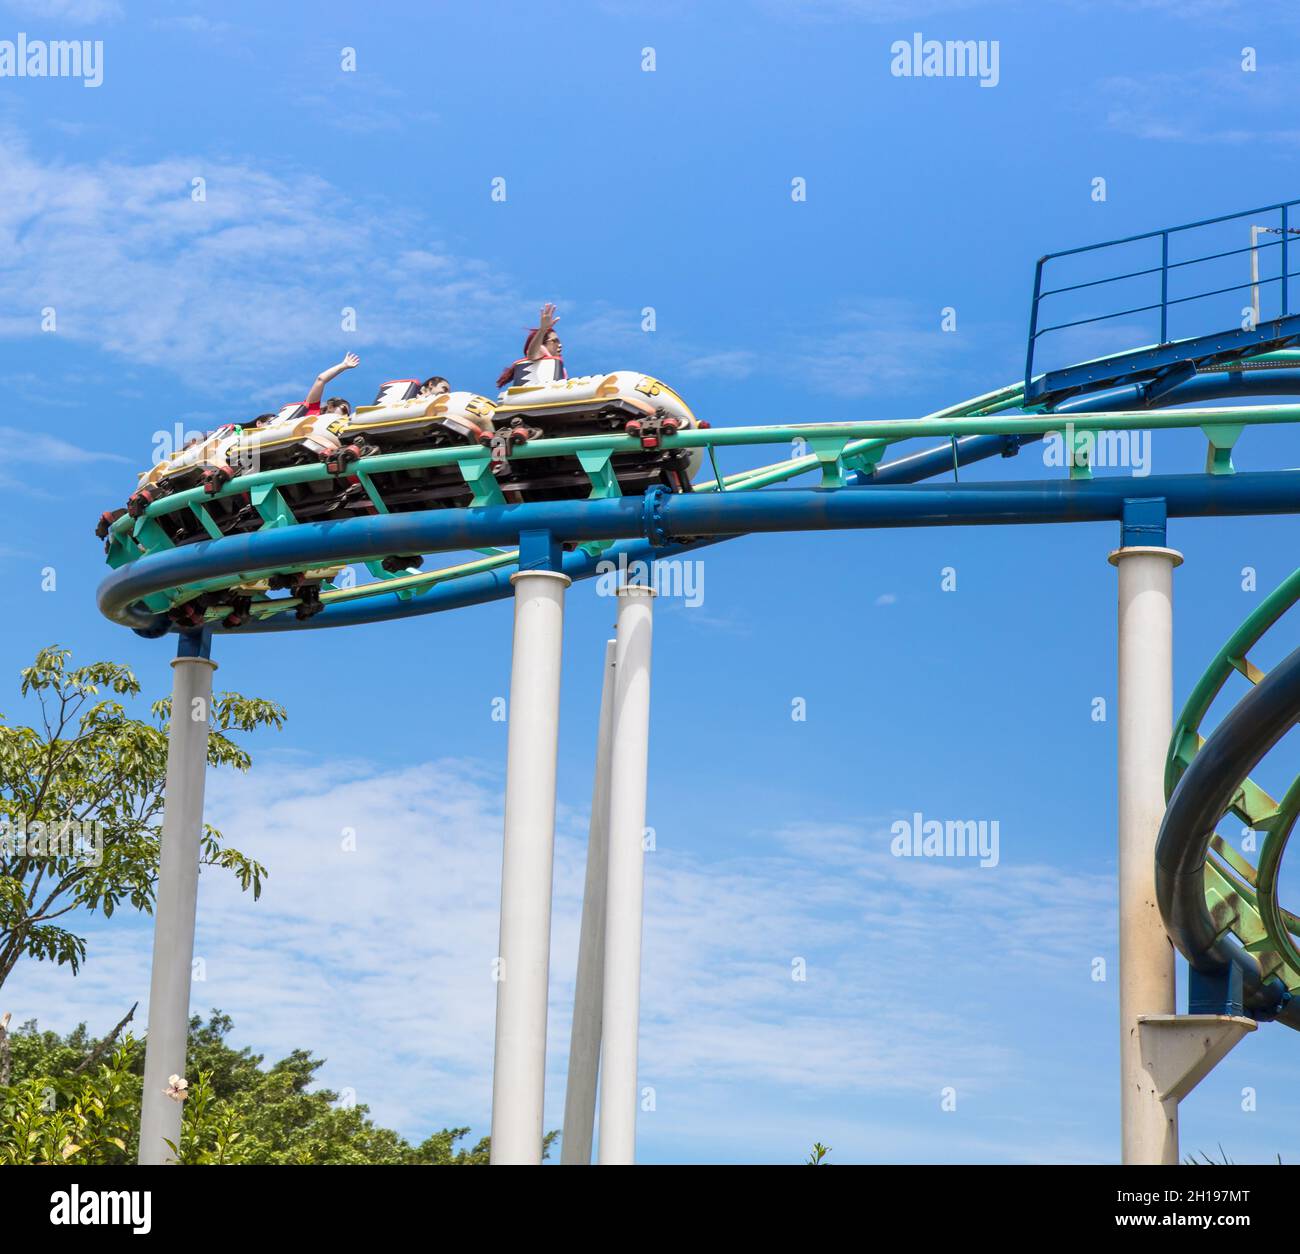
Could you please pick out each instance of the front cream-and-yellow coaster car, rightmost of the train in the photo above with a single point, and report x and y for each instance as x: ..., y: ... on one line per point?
x: 621, y: 401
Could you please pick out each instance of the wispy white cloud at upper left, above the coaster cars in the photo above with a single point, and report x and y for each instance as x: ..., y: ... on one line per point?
x: 249, y: 276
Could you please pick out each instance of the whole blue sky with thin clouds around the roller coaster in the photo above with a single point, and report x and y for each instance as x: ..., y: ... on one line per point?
x: 371, y: 192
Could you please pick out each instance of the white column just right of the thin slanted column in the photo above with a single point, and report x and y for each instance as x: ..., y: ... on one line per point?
x: 629, y: 766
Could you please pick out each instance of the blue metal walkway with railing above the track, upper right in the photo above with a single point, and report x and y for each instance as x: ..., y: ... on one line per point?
x: 1167, y: 363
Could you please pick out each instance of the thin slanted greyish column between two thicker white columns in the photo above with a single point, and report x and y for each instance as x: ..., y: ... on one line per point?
x: 590, y: 988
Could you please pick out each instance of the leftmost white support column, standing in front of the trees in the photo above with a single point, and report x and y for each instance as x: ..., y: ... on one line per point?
x: 175, y: 909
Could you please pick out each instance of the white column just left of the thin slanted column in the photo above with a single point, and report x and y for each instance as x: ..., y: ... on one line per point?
x: 519, y: 1068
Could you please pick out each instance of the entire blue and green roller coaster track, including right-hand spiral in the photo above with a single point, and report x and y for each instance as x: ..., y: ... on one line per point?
x: 1221, y: 912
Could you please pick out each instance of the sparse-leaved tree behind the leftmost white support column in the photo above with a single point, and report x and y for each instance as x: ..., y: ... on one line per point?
x: 92, y: 765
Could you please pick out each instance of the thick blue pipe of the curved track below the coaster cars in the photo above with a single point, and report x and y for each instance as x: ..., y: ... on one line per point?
x: 666, y: 518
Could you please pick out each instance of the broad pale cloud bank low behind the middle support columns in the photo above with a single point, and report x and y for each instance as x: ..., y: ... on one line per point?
x: 380, y: 957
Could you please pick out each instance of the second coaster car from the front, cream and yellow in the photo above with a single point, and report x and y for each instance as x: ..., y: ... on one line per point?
x: 401, y: 422
